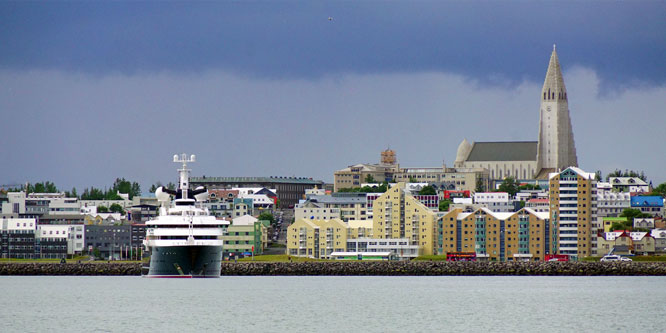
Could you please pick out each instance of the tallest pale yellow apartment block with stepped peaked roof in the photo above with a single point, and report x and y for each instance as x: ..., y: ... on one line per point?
x: 396, y: 214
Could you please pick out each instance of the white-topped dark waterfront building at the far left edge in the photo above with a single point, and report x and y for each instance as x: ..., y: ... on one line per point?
x: 17, y: 238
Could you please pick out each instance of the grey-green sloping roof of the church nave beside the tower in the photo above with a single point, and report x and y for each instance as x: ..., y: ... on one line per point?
x: 503, y: 151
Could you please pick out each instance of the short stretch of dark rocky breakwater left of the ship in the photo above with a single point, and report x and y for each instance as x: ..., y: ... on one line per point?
x: 70, y: 269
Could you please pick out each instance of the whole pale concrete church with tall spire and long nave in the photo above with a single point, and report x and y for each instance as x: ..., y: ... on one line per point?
x: 555, y: 149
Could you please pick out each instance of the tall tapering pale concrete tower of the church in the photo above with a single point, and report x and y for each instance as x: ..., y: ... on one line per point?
x: 555, y: 148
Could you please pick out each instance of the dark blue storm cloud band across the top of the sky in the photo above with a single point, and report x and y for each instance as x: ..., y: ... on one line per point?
x: 495, y: 42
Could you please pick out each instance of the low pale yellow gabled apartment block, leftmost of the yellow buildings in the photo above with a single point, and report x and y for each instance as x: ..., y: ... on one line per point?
x: 316, y: 238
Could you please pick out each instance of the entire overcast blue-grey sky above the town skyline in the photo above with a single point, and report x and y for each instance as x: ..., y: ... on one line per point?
x: 94, y: 91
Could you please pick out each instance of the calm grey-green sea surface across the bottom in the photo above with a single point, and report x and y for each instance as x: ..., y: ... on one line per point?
x: 332, y: 304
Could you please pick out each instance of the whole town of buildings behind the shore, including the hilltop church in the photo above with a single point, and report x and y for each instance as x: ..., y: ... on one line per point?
x: 499, y: 201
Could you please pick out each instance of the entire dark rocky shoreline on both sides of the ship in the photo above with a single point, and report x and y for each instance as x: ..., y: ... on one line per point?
x: 350, y: 268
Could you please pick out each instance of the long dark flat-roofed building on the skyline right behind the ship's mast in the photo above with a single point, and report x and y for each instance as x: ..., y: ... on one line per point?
x: 289, y: 189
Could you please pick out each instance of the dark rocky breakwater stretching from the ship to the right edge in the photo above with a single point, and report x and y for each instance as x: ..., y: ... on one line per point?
x: 428, y: 268
